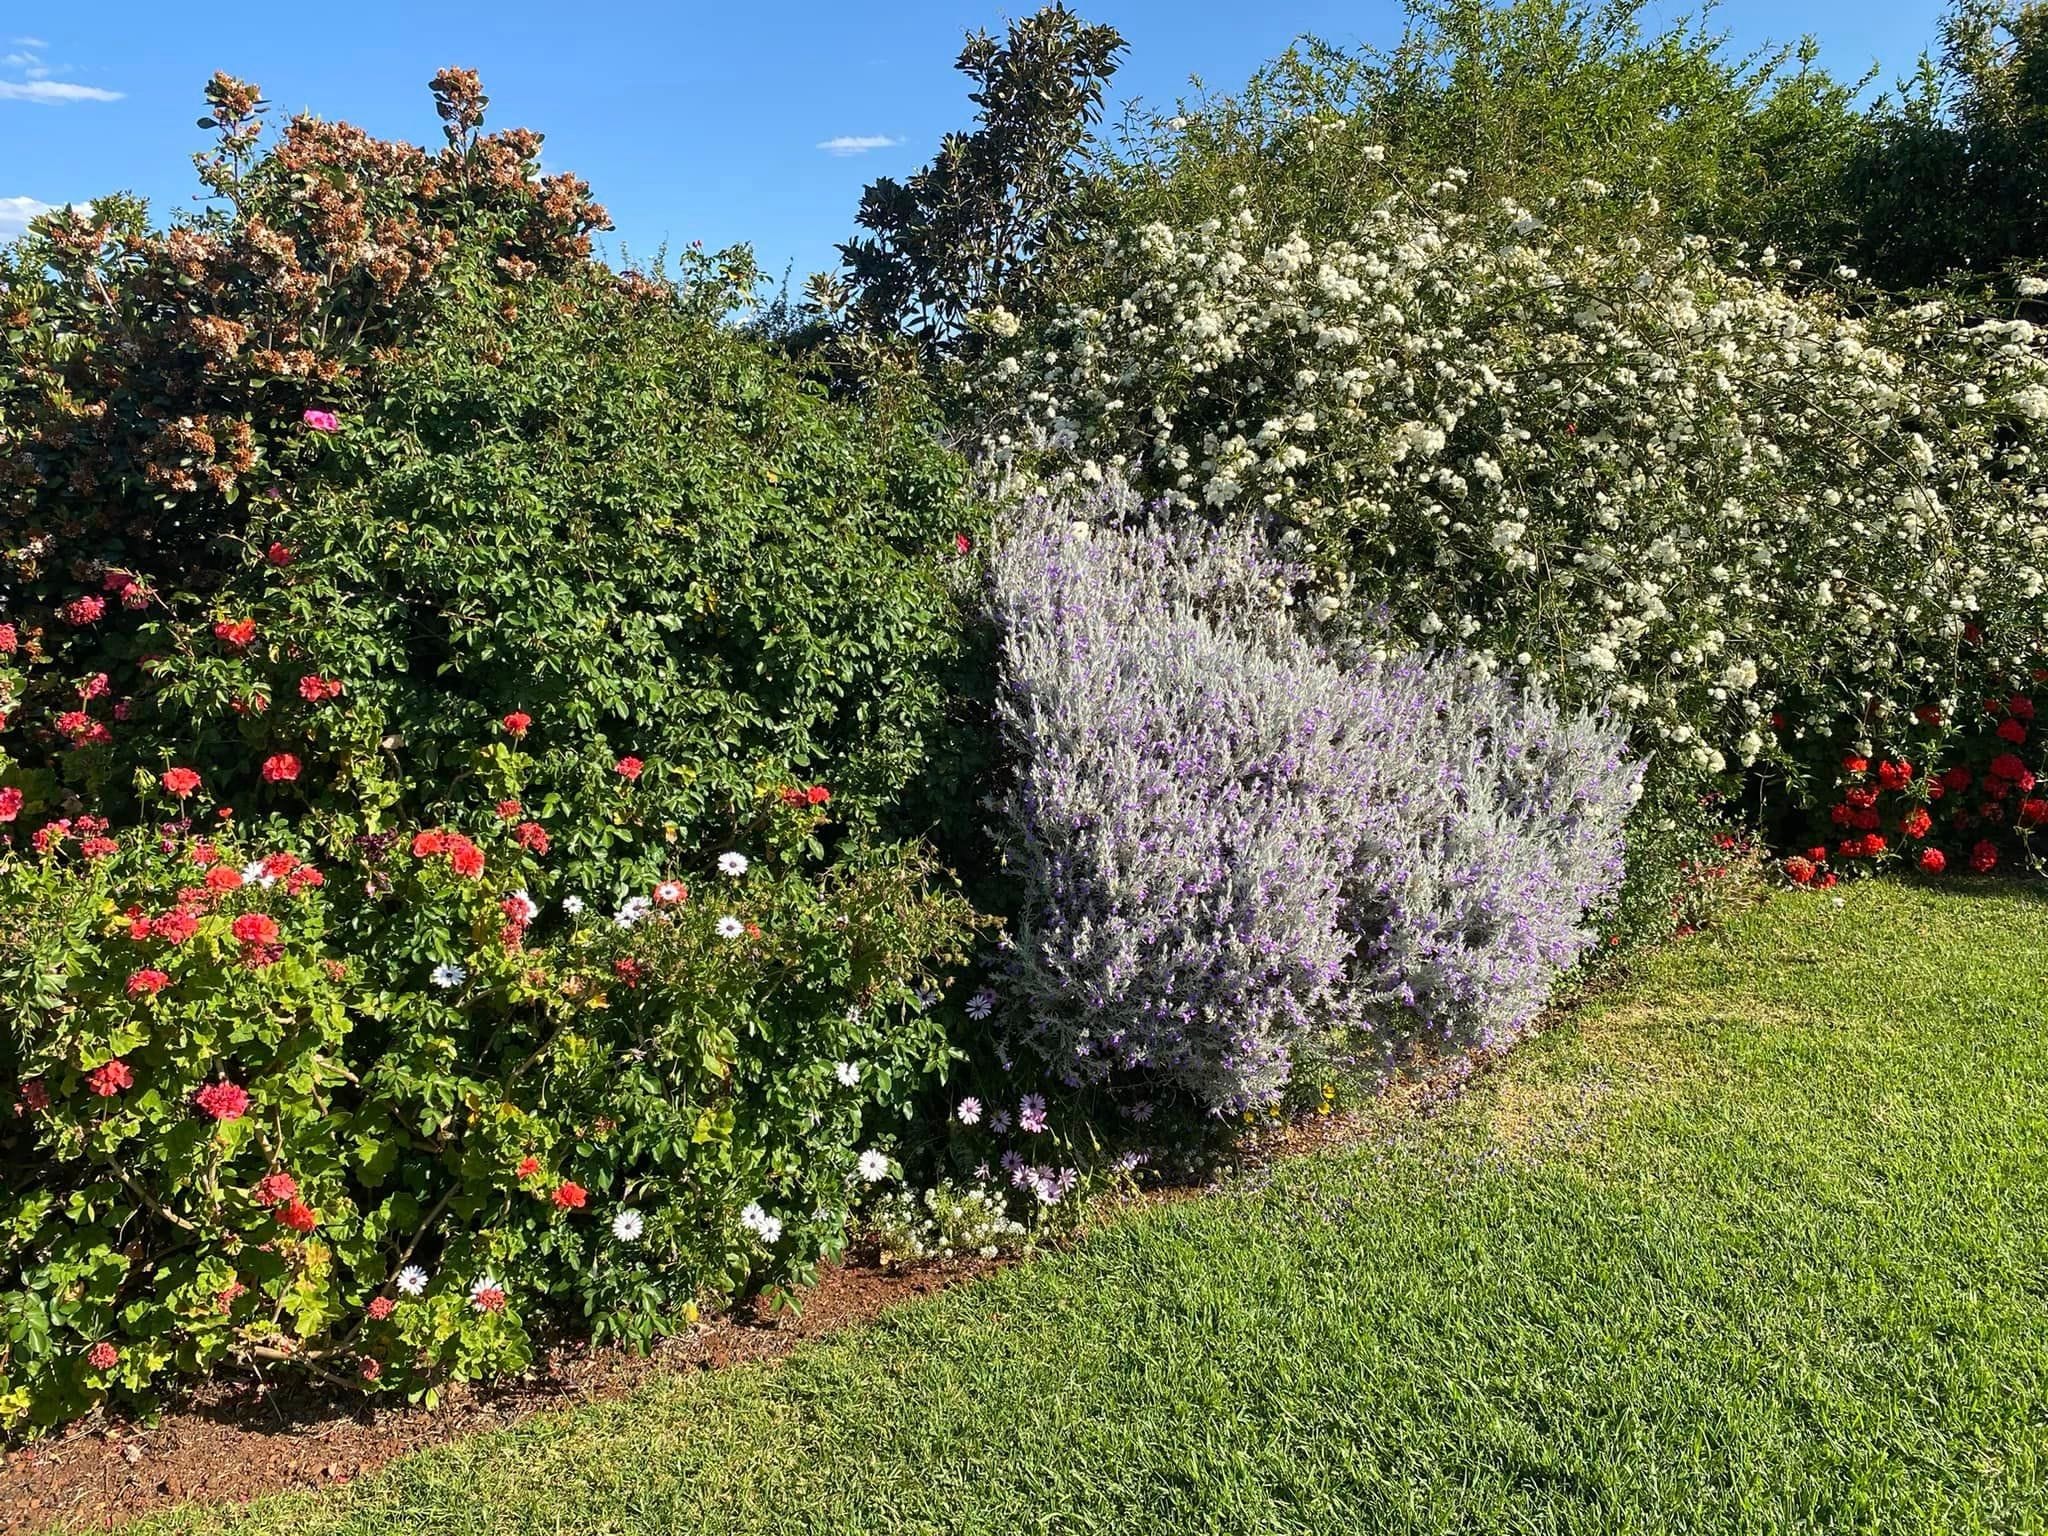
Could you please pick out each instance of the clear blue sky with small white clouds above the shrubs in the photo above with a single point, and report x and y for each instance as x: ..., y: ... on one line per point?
x: 693, y: 122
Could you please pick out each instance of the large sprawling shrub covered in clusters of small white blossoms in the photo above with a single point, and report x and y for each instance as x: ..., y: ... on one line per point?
x: 1662, y: 474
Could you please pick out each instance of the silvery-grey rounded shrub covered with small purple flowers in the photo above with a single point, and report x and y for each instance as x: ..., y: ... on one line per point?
x: 1232, y: 847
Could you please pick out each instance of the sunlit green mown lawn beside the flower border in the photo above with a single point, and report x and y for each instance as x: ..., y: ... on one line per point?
x: 1758, y: 1244
